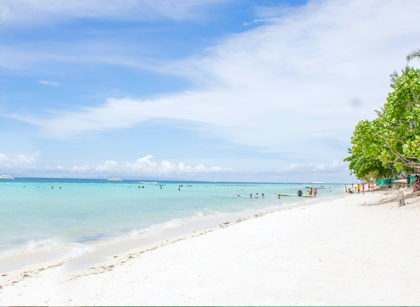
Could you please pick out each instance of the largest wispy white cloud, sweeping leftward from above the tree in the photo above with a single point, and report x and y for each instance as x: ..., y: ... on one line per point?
x: 288, y: 85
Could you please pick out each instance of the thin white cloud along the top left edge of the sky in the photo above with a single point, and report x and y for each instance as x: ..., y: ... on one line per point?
x: 47, y: 11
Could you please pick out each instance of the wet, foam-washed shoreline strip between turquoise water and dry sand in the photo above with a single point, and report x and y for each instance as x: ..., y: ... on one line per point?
x: 79, y: 256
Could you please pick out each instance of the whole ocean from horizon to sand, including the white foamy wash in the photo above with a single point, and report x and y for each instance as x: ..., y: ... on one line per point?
x: 49, y: 218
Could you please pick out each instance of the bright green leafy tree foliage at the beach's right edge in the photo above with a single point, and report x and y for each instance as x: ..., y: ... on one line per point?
x: 391, y: 142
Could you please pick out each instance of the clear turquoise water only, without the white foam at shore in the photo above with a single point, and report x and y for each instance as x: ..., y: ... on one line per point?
x: 90, y: 210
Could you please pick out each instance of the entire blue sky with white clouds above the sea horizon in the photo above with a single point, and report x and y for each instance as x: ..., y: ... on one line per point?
x: 223, y: 90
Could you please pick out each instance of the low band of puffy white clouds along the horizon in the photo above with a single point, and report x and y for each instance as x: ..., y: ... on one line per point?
x: 149, y: 167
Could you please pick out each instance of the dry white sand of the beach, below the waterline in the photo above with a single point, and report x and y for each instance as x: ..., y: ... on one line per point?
x: 350, y: 250
